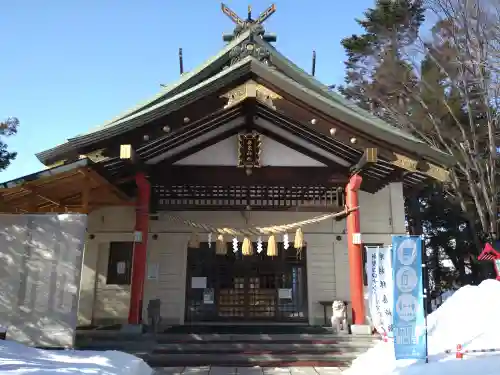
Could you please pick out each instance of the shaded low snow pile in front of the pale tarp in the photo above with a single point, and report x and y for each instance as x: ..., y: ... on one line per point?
x: 17, y: 359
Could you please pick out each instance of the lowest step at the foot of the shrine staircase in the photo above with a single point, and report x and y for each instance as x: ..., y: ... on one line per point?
x: 241, y: 360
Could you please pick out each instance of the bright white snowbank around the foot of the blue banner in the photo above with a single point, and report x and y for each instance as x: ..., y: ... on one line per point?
x: 468, y: 317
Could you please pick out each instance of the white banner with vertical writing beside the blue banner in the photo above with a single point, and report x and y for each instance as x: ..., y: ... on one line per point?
x: 380, y: 288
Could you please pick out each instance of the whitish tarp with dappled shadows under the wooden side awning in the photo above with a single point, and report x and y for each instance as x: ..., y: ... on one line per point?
x: 40, y: 269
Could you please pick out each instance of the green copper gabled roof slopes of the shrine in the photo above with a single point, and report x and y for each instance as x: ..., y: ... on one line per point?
x: 199, y: 82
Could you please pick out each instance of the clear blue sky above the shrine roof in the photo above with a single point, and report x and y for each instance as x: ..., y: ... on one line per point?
x: 68, y: 66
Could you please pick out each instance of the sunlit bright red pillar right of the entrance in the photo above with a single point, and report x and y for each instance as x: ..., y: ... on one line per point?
x: 355, y: 252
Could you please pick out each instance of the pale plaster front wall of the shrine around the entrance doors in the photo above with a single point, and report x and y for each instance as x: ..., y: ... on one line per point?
x: 382, y: 215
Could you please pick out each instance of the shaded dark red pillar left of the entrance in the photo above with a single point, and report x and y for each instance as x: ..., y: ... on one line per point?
x: 140, y: 248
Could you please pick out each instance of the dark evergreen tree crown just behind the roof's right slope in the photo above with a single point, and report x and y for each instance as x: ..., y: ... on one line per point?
x: 376, y: 73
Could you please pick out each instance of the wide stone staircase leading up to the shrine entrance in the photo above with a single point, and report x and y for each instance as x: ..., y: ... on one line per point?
x: 236, y: 350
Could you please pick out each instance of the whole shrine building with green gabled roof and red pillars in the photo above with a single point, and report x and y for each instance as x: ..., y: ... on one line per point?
x: 244, y: 192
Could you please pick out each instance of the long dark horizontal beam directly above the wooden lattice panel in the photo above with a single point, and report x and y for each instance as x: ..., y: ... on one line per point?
x: 233, y: 176
